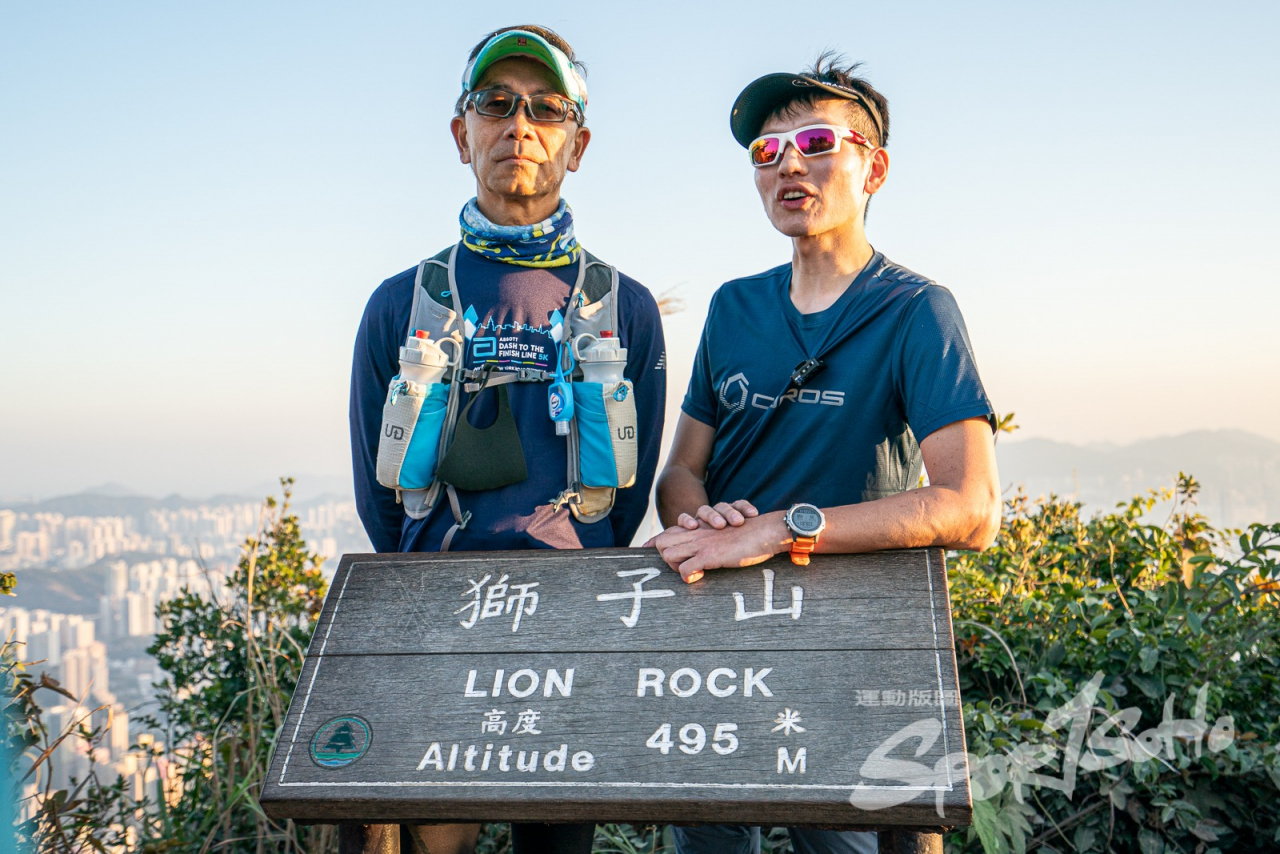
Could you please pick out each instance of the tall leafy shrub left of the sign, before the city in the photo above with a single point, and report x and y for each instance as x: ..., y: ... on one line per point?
x: 232, y: 666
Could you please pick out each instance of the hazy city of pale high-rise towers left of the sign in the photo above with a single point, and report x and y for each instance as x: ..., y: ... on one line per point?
x: 85, y: 610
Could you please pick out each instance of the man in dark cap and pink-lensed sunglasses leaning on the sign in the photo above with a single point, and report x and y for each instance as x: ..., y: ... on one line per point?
x: 821, y: 386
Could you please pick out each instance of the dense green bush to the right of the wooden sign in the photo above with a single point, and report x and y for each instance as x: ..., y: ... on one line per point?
x: 1159, y: 616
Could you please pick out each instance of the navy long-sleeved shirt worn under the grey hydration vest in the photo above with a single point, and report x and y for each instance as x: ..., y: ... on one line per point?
x: 513, y: 318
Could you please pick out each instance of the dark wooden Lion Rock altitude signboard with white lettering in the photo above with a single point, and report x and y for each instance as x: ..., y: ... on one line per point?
x: 595, y: 686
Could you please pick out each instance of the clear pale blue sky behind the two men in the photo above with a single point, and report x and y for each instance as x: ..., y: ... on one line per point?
x: 196, y: 200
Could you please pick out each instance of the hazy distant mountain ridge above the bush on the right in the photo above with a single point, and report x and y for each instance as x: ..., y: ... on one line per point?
x: 1240, y: 472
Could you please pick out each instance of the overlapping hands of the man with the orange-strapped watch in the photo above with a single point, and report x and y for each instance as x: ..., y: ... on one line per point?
x: 694, y: 551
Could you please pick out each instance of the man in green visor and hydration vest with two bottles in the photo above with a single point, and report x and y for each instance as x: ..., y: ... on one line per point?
x: 469, y: 368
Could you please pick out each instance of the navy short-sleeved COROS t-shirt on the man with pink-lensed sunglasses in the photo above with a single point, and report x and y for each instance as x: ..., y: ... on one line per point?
x: 899, y: 367
